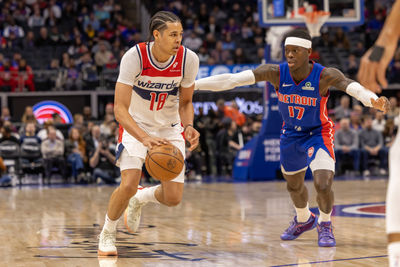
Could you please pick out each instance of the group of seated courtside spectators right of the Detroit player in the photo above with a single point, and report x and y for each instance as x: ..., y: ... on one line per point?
x: 363, y: 137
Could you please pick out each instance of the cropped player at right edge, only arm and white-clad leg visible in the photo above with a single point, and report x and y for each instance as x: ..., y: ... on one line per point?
x: 372, y: 73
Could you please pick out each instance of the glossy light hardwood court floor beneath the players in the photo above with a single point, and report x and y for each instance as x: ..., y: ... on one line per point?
x: 218, y: 224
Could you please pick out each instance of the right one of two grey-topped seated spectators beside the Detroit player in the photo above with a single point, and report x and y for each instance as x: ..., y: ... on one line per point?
x: 371, y: 143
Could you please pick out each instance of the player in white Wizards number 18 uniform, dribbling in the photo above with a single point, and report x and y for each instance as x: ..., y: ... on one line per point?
x: 153, y: 104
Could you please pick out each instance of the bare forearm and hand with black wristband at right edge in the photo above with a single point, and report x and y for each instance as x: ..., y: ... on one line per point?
x: 375, y: 61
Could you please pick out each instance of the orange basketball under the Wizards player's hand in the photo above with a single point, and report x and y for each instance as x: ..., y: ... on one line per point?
x: 164, y: 162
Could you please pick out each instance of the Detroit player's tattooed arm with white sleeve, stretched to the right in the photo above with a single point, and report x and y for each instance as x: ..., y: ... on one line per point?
x: 334, y: 77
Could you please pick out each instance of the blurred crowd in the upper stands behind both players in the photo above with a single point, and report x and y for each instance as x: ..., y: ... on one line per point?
x: 78, y: 41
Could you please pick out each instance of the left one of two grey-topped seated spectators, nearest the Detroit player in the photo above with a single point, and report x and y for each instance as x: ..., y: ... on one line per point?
x: 346, y: 146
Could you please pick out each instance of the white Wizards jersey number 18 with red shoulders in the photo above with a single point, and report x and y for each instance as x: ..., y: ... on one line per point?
x: 155, y: 89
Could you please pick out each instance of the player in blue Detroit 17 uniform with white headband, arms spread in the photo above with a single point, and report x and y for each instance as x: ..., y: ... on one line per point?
x: 307, y: 134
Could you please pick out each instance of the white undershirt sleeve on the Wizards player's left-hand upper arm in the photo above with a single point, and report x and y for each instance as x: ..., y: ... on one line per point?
x: 130, y: 67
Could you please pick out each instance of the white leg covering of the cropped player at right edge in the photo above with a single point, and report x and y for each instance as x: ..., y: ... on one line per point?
x: 393, y: 192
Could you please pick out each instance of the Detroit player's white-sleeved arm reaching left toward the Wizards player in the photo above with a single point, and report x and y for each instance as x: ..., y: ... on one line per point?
x: 222, y: 82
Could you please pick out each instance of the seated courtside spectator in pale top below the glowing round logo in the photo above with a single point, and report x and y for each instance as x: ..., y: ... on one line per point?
x: 53, y: 153
